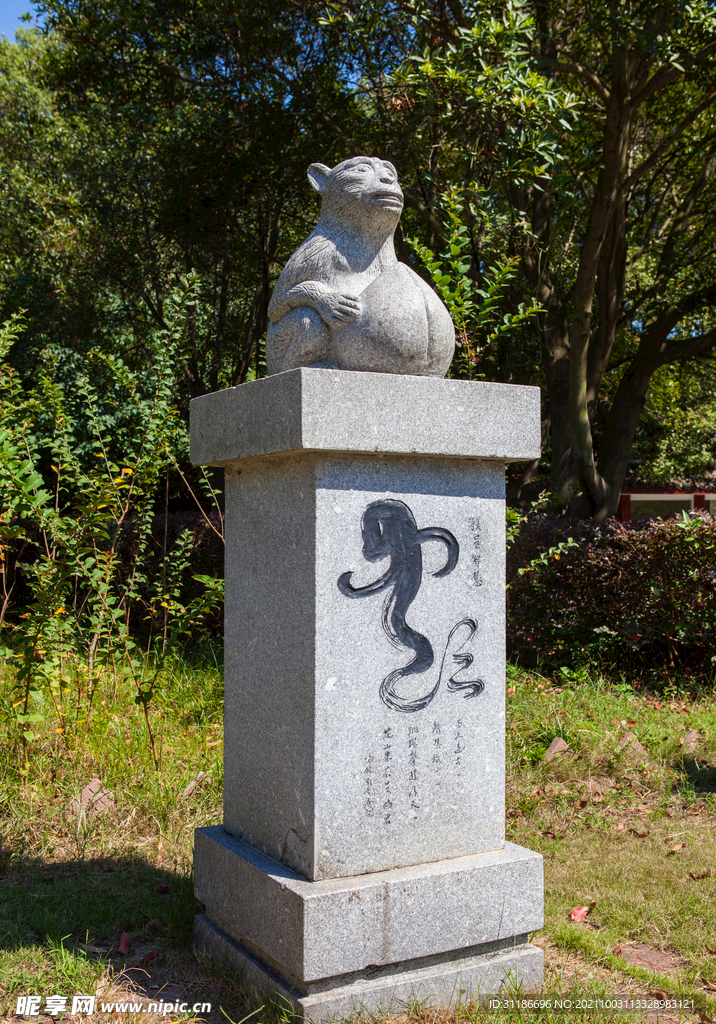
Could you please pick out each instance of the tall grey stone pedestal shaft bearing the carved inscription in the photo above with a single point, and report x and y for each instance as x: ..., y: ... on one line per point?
x: 323, y: 772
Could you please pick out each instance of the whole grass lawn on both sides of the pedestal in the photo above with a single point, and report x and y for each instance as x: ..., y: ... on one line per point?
x: 628, y: 833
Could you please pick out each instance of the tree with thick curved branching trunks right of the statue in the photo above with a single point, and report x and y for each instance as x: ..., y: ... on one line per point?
x: 609, y: 212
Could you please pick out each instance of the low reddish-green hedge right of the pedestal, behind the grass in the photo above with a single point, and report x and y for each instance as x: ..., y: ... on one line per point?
x: 633, y: 599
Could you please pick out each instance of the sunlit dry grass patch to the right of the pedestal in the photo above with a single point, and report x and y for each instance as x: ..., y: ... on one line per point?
x: 633, y: 834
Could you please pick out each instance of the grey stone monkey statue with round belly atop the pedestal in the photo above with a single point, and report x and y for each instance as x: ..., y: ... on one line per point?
x: 344, y: 301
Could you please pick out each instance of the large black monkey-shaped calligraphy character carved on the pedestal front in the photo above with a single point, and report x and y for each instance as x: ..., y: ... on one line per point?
x: 390, y: 531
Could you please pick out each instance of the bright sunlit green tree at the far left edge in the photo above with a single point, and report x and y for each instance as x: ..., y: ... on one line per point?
x: 45, y: 227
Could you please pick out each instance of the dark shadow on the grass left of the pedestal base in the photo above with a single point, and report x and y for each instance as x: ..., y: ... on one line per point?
x: 93, y: 902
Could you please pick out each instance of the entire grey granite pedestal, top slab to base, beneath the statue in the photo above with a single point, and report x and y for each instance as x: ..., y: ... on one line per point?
x: 363, y: 860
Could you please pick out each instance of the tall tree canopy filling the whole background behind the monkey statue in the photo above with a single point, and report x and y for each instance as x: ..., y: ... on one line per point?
x: 553, y: 155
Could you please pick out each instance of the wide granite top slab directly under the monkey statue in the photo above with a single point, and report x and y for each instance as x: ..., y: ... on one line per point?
x: 323, y: 410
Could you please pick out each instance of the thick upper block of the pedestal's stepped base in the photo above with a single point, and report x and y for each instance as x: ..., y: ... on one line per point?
x: 373, y: 920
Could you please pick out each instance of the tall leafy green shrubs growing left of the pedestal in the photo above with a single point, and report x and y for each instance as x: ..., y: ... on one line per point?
x: 91, y: 584
